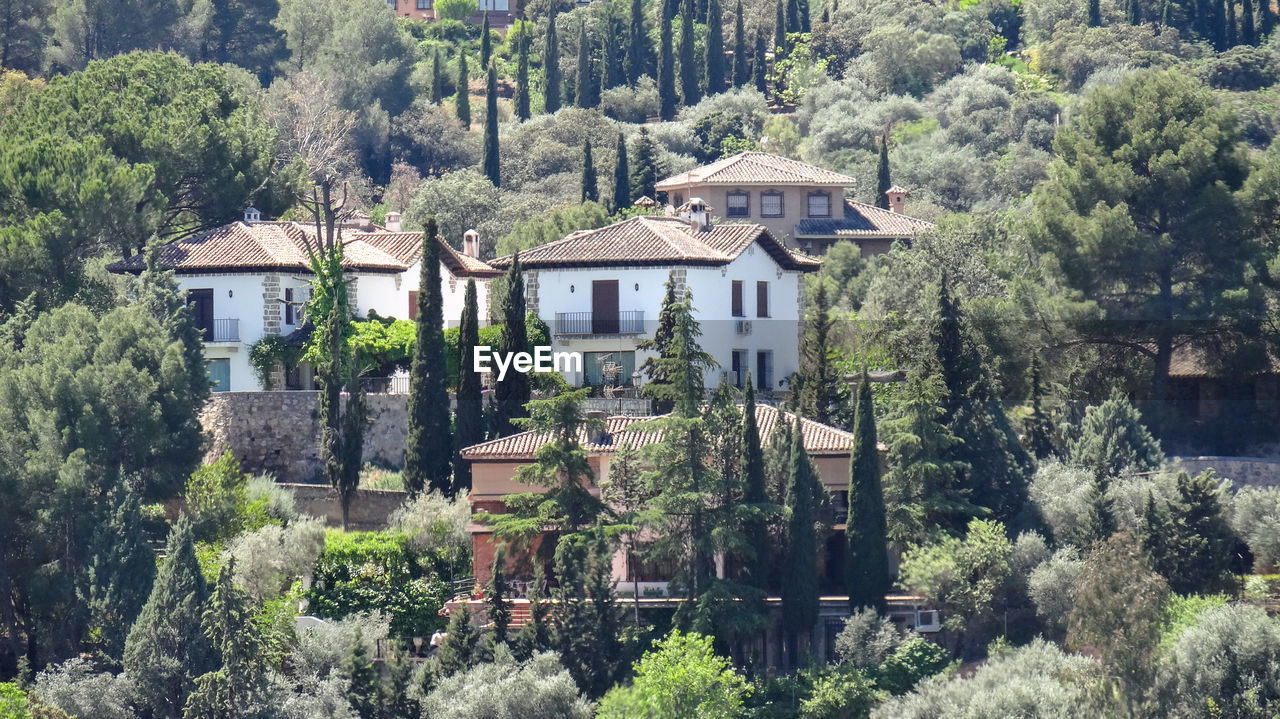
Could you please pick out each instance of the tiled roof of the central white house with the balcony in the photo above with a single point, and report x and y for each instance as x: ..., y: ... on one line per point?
x: 644, y: 241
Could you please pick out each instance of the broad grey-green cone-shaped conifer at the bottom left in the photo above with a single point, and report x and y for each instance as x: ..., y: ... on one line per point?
x: 167, y: 648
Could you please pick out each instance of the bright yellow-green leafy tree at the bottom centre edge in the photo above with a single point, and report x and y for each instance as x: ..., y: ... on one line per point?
x: 680, y: 677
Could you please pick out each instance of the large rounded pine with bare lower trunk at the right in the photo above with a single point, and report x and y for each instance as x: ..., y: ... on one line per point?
x: 1155, y: 244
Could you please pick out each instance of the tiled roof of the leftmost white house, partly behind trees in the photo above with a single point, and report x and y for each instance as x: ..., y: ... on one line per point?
x: 269, y: 248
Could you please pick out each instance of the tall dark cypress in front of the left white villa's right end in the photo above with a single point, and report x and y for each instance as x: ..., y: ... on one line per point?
x: 428, y: 452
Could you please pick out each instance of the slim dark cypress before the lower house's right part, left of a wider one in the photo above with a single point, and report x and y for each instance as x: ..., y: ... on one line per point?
x: 801, y: 571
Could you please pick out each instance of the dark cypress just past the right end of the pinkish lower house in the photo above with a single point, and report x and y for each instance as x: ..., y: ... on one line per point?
x: 866, y: 526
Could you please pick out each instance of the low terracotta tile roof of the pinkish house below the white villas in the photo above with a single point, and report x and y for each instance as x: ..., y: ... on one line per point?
x: 820, y: 441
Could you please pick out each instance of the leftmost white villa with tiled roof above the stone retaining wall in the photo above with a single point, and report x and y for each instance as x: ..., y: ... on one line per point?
x: 250, y: 280
